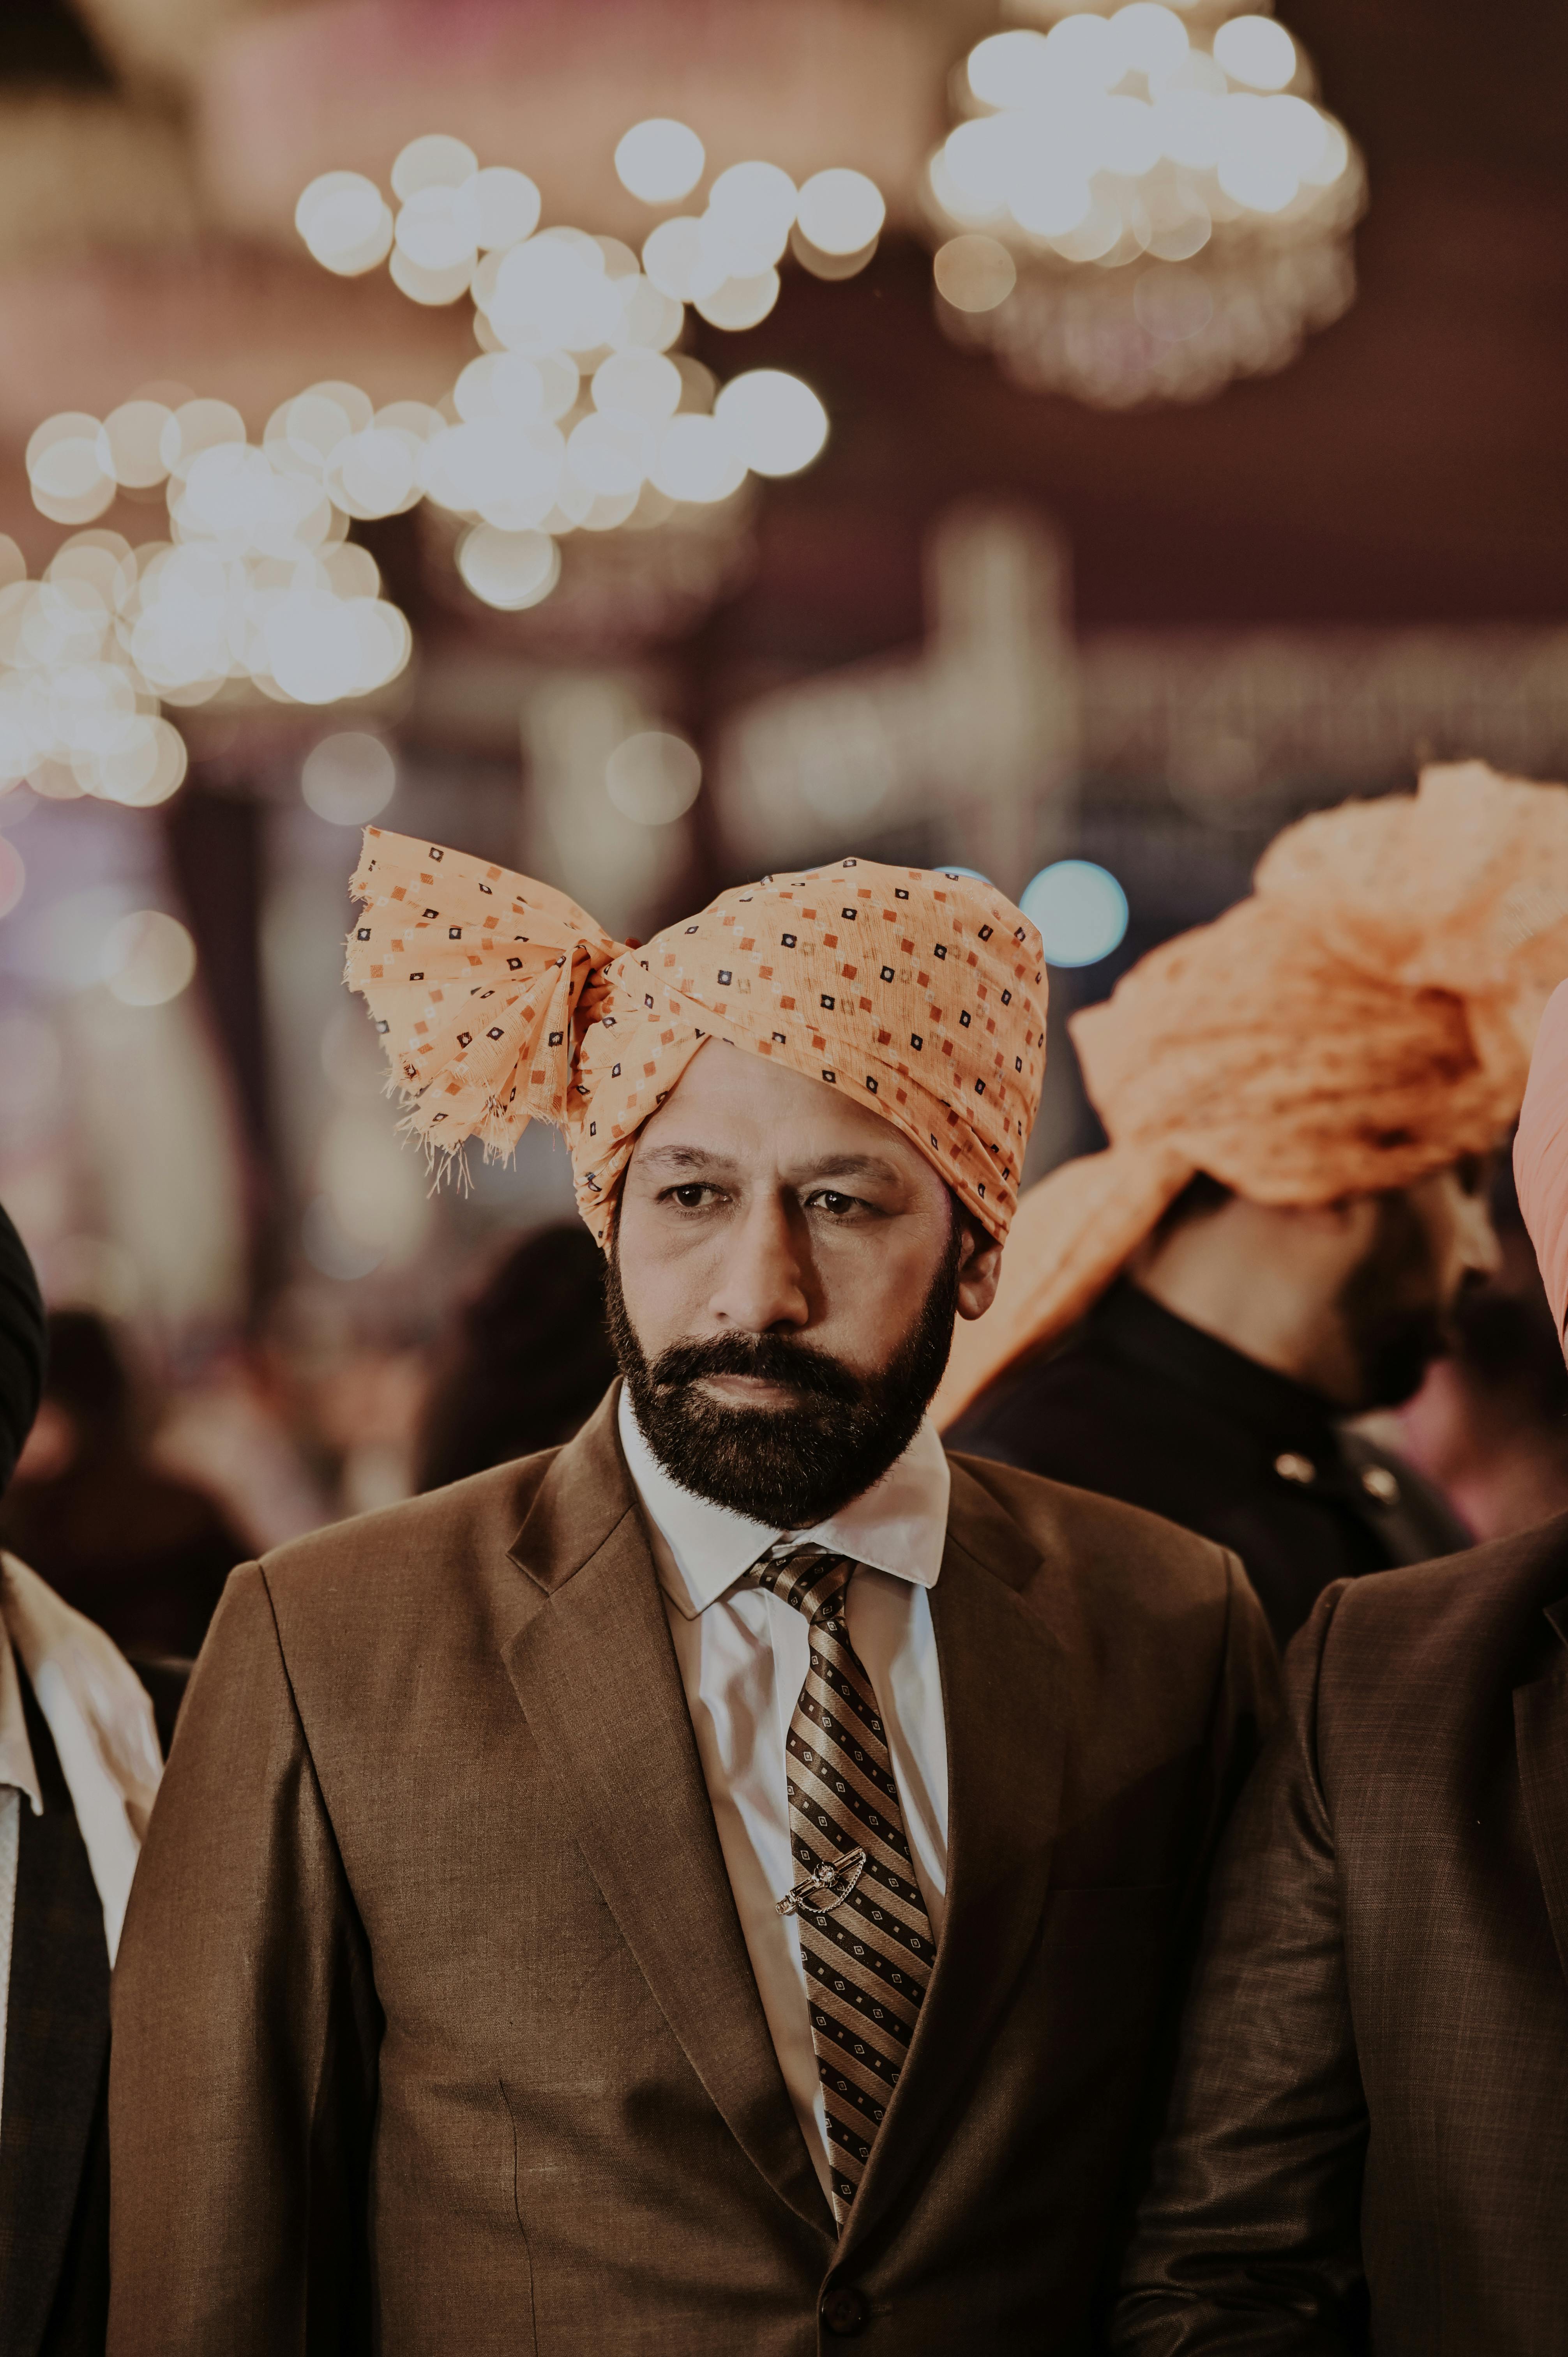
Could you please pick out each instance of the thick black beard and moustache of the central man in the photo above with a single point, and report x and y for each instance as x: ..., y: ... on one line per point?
x: 786, y: 1467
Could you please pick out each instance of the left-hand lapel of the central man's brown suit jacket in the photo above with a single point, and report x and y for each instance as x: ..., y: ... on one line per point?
x: 595, y: 1675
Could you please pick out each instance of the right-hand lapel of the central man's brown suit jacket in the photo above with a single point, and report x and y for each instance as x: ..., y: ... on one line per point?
x: 1003, y: 1703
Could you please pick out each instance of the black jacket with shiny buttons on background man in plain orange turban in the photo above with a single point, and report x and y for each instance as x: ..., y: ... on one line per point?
x: 1145, y: 1406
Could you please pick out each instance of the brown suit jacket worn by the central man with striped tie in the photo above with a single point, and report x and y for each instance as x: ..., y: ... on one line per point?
x: 435, y: 2026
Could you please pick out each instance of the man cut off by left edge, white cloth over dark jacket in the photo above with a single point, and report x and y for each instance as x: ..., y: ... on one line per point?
x: 79, y: 1771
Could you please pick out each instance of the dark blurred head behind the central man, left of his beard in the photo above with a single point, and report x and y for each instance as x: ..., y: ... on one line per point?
x: 525, y: 1361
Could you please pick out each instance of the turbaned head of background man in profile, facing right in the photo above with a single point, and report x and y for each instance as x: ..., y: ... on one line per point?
x: 1338, y: 1052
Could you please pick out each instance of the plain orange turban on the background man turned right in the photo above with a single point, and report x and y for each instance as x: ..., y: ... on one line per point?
x: 1359, y: 1022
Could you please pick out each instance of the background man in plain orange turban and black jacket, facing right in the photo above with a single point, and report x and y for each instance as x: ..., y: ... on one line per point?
x: 1300, y: 1102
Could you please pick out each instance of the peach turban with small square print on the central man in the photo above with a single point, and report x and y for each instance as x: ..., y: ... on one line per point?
x: 501, y: 1003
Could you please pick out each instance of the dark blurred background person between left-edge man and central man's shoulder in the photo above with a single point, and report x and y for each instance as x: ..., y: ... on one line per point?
x: 133, y: 1547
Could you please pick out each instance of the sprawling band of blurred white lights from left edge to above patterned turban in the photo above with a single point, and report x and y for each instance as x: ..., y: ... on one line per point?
x: 577, y: 416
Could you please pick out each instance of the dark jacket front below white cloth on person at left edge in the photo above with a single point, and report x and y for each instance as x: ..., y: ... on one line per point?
x: 55, y: 2054
